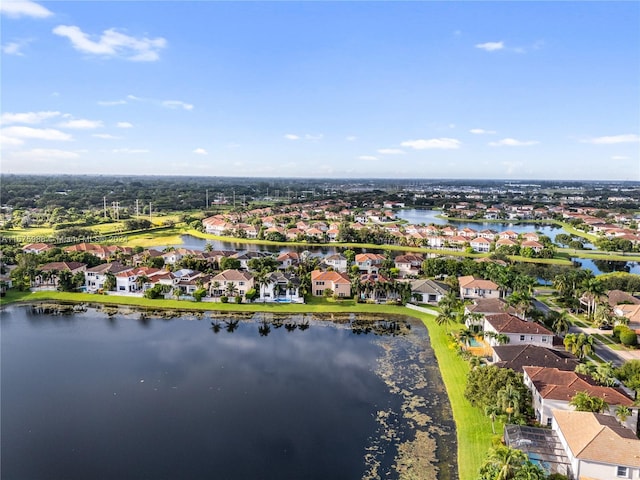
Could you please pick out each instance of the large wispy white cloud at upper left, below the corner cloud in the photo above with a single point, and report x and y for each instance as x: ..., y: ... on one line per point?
x: 113, y: 44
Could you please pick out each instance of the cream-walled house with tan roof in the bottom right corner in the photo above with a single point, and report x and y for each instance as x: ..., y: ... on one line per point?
x: 597, y: 446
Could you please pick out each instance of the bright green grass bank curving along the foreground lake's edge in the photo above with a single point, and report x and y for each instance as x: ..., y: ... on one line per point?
x: 473, y: 428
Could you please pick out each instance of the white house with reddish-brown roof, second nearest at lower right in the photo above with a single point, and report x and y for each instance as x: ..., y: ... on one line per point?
x: 552, y: 388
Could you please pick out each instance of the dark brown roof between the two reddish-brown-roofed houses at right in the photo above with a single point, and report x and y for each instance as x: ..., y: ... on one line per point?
x: 516, y: 357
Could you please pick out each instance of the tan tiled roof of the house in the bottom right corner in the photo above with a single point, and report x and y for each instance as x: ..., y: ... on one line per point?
x: 599, y: 438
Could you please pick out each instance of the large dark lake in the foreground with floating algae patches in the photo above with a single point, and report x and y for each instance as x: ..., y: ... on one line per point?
x: 92, y: 396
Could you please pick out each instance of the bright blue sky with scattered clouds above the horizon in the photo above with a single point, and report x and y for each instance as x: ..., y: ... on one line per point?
x: 513, y: 90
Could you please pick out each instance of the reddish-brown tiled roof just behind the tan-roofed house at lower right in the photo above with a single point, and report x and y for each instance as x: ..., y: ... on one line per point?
x: 556, y: 384
